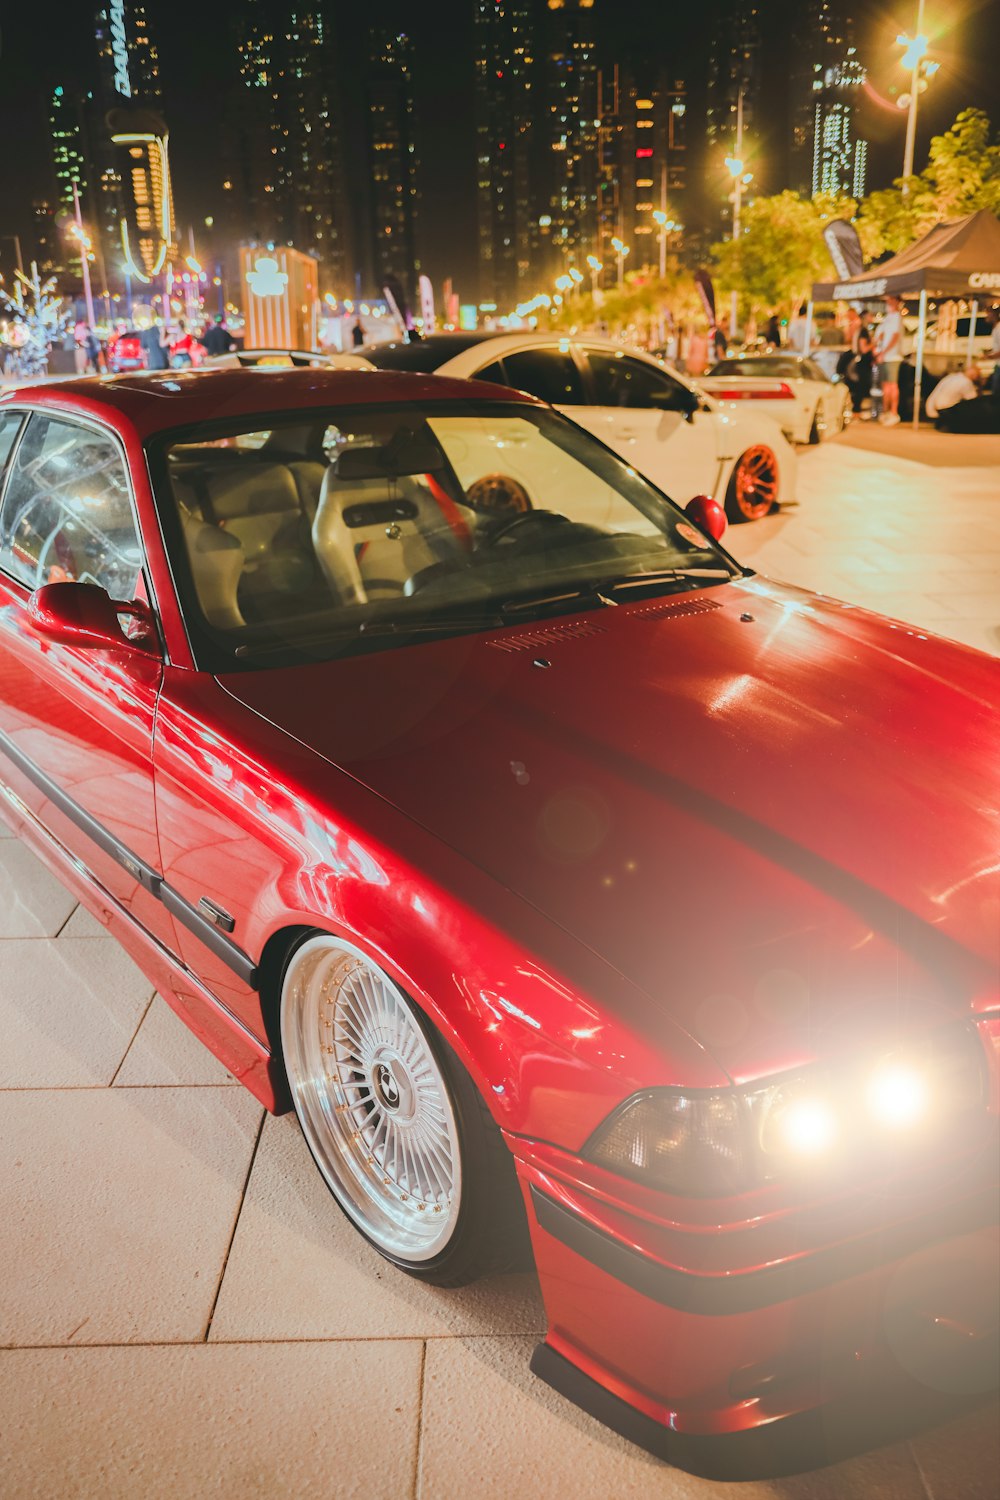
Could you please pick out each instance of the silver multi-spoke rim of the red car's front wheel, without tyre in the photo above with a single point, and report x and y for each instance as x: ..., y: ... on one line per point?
x: 373, y: 1100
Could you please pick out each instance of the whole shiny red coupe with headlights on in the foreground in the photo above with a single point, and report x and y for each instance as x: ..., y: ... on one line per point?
x: 463, y: 793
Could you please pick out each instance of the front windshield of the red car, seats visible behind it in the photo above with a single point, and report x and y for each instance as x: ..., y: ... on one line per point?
x: 371, y: 527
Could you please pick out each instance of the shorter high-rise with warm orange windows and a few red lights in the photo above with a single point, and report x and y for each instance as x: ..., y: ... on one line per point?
x: 642, y: 160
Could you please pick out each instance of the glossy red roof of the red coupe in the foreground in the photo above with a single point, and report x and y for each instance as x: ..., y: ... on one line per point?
x: 163, y: 400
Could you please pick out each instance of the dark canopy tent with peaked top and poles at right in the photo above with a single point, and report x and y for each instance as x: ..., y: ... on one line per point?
x: 953, y: 260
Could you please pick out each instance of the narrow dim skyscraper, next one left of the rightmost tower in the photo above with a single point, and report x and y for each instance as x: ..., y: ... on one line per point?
x: 735, y: 67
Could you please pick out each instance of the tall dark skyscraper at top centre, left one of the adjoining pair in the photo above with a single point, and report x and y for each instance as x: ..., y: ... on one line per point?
x: 504, y: 100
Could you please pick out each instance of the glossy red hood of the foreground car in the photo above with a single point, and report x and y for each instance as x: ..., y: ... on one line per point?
x: 774, y: 814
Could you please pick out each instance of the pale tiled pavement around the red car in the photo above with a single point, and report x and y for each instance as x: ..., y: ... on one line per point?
x: 182, y: 1310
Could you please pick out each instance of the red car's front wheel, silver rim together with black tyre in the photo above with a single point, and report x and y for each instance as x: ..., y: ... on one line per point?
x: 392, y: 1120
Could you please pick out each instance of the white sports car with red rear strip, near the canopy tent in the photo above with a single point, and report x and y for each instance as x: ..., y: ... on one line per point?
x: 801, y: 397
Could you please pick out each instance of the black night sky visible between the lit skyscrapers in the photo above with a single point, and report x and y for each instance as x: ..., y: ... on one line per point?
x: 53, y: 43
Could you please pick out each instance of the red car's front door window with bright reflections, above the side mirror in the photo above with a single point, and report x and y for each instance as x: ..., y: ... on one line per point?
x: 67, y: 514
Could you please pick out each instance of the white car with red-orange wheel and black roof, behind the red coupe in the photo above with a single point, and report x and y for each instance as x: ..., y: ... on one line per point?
x: 660, y: 422
